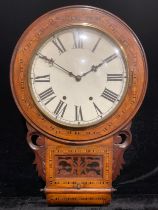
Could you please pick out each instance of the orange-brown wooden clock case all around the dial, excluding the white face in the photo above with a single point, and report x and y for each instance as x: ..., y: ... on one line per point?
x: 100, y: 140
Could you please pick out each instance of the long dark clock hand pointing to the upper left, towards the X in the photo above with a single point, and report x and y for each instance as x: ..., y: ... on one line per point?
x: 51, y: 61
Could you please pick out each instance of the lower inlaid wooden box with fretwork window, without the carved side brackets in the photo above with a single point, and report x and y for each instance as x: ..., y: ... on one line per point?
x: 74, y: 188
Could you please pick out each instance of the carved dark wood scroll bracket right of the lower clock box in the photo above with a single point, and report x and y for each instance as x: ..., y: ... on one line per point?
x: 122, y: 140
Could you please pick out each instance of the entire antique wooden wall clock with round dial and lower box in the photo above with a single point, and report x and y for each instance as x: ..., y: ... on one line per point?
x: 78, y: 76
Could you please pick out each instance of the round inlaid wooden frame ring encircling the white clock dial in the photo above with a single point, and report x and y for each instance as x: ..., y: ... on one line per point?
x: 72, y: 16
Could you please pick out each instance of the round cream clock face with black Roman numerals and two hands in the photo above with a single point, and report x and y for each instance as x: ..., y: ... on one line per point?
x: 78, y: 76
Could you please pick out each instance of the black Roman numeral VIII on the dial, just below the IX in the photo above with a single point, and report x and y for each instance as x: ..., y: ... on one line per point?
x: 47, y: 95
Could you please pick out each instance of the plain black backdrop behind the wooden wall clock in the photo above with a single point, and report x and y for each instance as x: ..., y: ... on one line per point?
x: 17, y: 174
